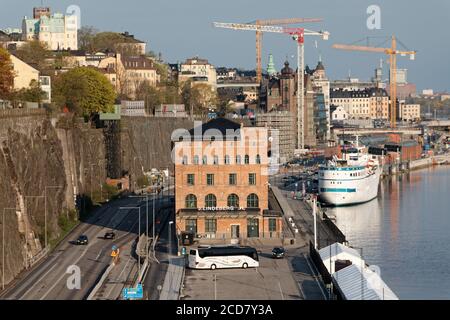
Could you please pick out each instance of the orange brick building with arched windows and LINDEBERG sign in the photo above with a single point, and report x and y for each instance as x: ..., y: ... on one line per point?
x: 221, y: 182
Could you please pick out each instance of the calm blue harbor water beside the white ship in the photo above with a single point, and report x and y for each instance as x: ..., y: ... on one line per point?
x: 406, y: 232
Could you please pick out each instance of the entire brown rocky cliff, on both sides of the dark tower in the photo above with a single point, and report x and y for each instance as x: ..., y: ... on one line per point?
x: 45, y: 164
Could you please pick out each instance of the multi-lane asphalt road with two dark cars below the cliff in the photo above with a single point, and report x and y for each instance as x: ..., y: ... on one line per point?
x: 49, y: 279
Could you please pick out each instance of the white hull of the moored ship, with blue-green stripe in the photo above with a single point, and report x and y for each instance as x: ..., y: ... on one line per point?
x: 343, y: 190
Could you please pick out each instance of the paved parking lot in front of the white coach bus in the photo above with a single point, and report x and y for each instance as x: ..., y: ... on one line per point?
x: 273, y: 280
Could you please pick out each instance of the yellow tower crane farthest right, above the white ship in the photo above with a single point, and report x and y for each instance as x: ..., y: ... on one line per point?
x: 392, y: 52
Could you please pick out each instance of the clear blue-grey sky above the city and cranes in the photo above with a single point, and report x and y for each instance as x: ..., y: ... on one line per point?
x: 183, y: 28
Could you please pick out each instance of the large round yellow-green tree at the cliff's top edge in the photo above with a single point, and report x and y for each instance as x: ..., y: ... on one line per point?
x: 84, y: 91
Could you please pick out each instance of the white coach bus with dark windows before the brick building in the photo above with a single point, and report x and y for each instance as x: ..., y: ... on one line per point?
x: 220, y: 257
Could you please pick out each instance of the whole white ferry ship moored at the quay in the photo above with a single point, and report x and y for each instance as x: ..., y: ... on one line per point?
x: 351, y: 180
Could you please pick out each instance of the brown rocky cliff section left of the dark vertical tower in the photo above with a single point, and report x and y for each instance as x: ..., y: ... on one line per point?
x: 42, y: 170
